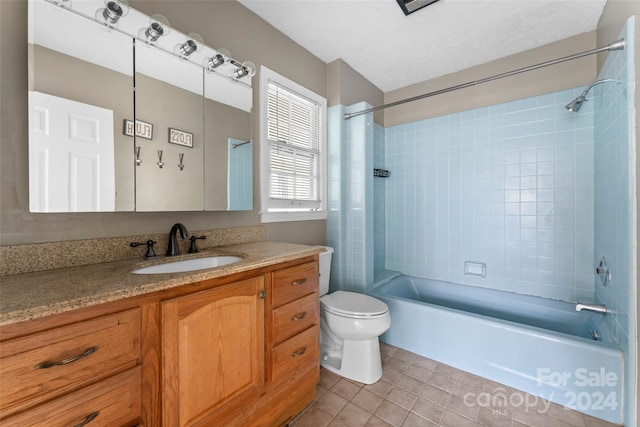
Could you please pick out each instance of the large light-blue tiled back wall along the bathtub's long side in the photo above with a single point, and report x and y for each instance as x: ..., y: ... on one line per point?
x: 510, y: 185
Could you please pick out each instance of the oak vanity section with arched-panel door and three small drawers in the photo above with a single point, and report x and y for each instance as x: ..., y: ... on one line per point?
x: 243, y: 354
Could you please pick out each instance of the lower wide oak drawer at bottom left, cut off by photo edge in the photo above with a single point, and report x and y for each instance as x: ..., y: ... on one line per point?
x: 112, y: 402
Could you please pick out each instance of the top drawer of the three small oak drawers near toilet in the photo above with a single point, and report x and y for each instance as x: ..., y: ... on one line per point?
x: 294, y: 282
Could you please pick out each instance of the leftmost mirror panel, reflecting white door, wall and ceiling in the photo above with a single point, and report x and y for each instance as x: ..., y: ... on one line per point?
x: 82, y: 65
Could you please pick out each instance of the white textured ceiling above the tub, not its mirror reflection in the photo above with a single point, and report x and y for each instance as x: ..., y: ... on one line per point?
x: 392, y: 50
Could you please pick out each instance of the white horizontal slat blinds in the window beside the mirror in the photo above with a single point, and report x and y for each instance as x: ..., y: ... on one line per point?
x: 293, y: 134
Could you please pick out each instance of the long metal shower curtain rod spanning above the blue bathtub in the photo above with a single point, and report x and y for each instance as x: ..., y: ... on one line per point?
x: 617, y: 45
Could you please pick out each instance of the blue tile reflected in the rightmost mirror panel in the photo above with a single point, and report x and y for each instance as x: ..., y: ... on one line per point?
x: 240, y: 175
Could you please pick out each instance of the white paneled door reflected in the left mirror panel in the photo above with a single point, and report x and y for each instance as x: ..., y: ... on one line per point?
x: 71, y: 156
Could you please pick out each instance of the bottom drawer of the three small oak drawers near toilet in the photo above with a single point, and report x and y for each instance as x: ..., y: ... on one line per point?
x: 295, y: 355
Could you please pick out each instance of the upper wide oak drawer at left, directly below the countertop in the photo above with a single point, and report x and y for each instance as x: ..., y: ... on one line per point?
x: 42, y: 366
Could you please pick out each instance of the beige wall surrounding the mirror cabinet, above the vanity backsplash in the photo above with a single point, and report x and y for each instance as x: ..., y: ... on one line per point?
x: 222, y: 24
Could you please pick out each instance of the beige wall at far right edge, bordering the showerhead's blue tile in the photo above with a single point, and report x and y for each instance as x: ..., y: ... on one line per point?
x: 615, y: 14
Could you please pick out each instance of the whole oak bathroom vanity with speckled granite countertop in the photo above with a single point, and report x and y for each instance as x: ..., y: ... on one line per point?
x: 230, y: 346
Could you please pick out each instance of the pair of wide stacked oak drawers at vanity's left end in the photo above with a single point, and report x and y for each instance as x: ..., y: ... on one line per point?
x: 67, y: 375
